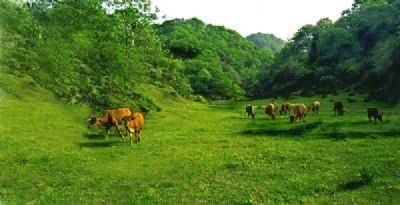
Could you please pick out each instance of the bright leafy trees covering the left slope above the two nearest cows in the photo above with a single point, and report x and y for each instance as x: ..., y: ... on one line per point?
x: 85, y: 53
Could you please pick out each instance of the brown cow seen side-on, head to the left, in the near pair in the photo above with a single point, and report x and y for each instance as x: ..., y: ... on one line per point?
x: 109, y: 119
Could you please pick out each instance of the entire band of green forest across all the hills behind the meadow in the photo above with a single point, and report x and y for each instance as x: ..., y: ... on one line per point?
x: 99, y: 51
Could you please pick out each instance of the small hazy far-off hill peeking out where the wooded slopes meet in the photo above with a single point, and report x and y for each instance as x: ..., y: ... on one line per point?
x: 270, y: 41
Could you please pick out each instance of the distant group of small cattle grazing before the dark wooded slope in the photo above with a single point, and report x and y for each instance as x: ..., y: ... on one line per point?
x: 300, y: 111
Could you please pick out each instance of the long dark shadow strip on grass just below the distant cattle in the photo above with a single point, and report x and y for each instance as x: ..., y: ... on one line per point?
x: 295, y: 131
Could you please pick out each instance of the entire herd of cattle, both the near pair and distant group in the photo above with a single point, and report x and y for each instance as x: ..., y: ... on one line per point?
x: 134, y: 121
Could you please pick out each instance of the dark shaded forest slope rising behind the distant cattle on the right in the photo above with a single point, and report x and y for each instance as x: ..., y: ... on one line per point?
x: 360, y: 51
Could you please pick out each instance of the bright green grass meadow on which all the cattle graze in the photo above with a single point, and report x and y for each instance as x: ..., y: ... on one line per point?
x: 195, y: 154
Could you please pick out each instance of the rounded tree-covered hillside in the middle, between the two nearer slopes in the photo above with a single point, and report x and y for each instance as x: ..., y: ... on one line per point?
x: 219, y: 62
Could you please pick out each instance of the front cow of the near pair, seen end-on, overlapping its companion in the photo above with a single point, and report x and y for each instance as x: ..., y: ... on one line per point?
x: 135, y: 124
